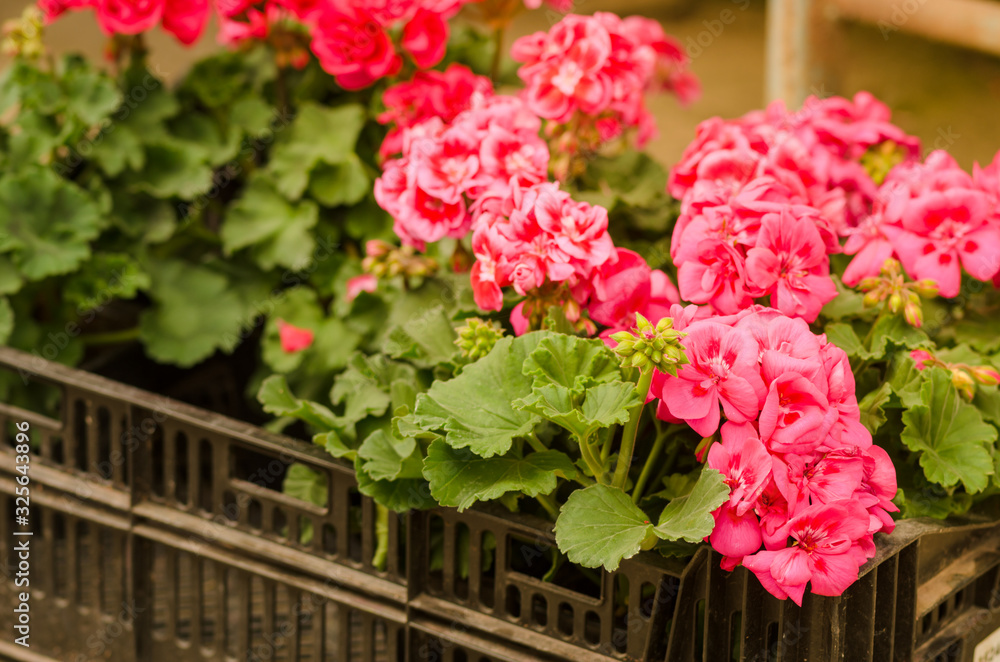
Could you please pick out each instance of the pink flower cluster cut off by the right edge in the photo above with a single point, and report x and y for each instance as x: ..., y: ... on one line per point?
x: 936, y: 219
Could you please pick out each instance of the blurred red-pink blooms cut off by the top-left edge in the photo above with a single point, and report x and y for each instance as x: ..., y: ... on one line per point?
x: 185, y: 19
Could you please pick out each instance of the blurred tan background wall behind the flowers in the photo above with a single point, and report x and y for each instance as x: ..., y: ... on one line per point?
x: 948, y: 96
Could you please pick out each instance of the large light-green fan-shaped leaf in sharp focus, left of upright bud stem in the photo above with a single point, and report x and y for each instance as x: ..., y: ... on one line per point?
x: 475, y: 409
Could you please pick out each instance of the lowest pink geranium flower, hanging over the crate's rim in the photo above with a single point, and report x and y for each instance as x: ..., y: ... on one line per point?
x: 824, y: 553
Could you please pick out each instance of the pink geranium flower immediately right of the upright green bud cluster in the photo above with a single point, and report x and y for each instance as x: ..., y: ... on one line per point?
x: 722, y: 370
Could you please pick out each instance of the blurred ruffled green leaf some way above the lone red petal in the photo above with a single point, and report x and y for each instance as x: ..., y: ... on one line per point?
x: 277, y: 231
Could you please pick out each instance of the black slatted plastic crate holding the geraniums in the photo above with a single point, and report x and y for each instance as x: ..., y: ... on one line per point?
x: 184, y: 548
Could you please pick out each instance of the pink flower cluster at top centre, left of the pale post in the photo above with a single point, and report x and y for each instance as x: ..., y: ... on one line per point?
x: 600, y: 67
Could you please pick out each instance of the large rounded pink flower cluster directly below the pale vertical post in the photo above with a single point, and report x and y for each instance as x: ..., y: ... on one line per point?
x: 766, y: 198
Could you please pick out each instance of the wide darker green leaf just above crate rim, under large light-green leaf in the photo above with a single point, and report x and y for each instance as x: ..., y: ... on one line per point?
x: 460, y: 478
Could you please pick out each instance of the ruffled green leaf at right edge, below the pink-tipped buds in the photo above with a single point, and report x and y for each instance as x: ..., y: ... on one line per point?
x: 950, y: 435
